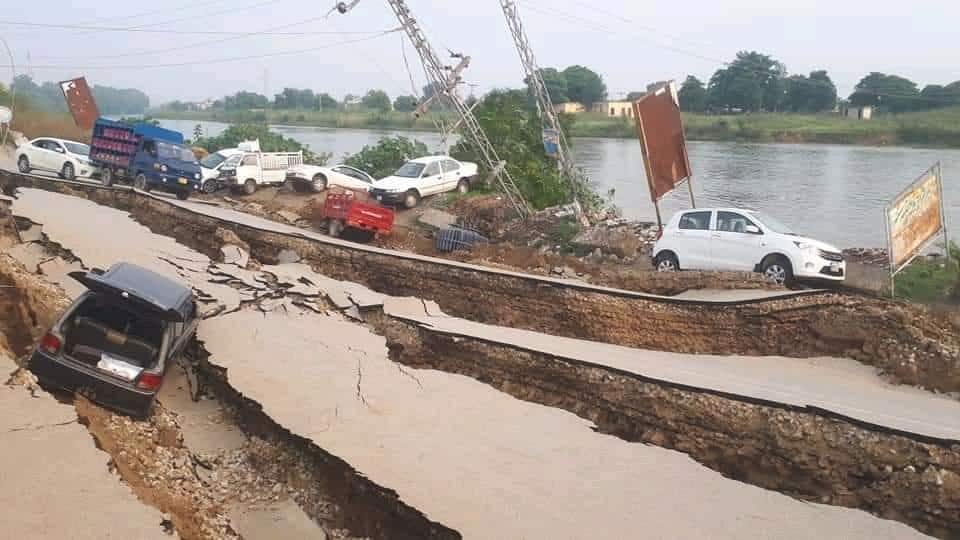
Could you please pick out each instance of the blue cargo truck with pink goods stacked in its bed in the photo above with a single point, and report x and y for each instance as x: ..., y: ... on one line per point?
x: 149, y: 156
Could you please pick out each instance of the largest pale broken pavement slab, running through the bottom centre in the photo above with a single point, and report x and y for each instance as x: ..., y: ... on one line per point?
x: 485, y: 464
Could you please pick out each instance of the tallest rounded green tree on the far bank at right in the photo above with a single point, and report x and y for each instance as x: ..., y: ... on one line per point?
x: 752, y: 82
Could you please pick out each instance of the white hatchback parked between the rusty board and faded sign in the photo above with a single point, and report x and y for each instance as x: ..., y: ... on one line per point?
x: 744, y: 240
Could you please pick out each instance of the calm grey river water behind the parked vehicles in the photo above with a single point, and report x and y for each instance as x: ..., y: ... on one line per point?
x: 833, y: 192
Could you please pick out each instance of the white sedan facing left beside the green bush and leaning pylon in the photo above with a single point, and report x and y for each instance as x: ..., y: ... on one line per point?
x: 424, y: 176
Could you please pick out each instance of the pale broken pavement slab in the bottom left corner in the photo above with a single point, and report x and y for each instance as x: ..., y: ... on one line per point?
x: 56, y: 483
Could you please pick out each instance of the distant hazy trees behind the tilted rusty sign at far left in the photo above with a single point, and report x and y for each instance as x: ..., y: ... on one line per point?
x: 48, y: 96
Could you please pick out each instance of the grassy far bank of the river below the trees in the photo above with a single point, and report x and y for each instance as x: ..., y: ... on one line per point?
x: 938, y: 128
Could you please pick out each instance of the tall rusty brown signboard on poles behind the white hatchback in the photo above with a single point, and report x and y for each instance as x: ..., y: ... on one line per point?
x: 663, y: 143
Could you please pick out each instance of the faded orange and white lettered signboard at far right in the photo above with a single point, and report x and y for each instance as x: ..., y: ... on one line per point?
x: 915, y: 217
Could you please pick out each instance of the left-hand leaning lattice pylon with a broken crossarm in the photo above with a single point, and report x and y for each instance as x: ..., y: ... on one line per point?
x: 445, y: 80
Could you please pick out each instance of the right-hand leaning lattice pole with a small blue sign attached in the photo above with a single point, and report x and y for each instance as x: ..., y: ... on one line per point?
x: 548, y: 116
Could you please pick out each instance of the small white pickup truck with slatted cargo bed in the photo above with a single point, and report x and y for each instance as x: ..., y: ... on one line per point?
x: 252, y: 168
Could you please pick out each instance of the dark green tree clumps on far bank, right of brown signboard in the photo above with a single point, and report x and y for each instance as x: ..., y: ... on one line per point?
x: 755, y: 82
